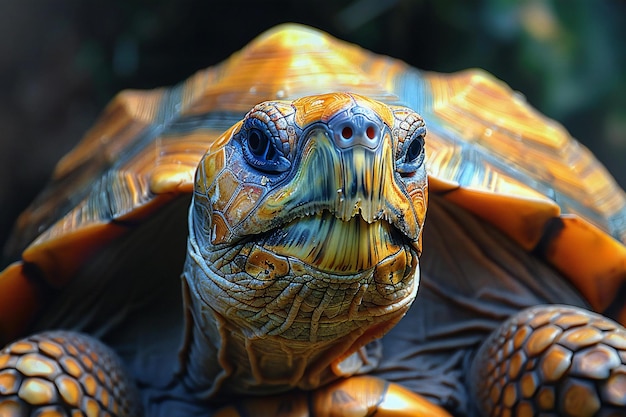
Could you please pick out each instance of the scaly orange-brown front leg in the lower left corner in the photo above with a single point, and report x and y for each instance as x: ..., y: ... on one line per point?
x: 62, y: 373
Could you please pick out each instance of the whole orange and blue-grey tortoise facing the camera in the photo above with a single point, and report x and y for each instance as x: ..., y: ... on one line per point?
x: 298, y: 171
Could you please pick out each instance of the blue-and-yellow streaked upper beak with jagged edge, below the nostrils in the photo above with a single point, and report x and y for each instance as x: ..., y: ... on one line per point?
x: 345, y: 182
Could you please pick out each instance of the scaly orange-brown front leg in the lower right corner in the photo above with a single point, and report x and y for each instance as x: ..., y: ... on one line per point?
x: 552, y: 360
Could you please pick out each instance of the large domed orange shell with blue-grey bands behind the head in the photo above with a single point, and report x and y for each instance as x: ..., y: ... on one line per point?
x: 489, y: 153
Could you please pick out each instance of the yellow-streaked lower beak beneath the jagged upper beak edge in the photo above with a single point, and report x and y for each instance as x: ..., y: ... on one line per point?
x: 336, y: 246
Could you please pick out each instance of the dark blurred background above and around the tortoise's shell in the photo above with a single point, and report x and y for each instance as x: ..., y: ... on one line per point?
x: 62, y: 60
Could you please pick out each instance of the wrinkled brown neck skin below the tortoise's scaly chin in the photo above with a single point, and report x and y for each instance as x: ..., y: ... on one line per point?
x: 219, y: 357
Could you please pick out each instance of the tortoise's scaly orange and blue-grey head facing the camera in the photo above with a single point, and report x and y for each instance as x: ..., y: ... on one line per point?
x: 305, y: 230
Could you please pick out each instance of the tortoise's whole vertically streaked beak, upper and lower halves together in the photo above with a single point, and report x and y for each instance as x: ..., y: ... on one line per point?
x: 344, y: 209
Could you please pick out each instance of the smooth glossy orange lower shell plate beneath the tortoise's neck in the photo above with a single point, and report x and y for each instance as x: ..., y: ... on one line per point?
x: 358, y: 396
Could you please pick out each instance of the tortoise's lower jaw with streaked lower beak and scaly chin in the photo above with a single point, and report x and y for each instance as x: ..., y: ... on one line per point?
x: 313, y: 278
